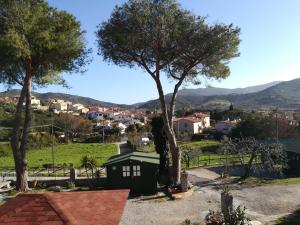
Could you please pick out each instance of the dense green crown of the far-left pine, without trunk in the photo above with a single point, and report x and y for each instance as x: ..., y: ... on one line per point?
x: 35, y: 35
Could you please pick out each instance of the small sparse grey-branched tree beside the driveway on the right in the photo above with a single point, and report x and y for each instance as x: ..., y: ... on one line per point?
x: 255, y: 155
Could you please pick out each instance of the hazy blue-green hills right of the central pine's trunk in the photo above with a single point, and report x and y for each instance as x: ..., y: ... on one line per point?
x: 284, y: 95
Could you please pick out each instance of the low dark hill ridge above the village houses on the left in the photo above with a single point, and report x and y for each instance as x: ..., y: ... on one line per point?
x: 67, y: 97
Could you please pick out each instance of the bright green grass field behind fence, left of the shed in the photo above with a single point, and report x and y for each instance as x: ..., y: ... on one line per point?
x: 71, y: 153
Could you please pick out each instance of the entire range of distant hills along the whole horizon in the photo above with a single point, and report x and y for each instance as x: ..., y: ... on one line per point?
x: 278, y: 94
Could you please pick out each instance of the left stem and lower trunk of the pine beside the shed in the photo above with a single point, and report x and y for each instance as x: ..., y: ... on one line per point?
x: 176, y: 156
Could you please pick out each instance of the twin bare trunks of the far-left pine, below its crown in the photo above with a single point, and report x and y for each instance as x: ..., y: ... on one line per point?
x: 19, y: 146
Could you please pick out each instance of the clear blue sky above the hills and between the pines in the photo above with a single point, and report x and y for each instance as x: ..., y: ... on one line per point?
x: 270, y: 48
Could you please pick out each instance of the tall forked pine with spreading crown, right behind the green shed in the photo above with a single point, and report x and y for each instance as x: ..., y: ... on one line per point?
x: 161, y: 37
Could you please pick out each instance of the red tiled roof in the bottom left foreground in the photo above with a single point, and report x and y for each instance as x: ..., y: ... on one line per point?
x: 65, y: 208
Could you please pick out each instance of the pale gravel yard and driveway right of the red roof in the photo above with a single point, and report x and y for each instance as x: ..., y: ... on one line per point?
x: 264, y: 203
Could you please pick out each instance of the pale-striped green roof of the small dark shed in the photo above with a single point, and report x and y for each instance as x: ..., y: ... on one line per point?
x: 136, y: 156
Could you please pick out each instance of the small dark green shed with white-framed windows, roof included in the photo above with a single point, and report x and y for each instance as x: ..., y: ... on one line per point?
x: 136, y: 171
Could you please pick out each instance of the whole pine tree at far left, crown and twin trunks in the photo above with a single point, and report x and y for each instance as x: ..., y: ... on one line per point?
x: 37, y: 44
